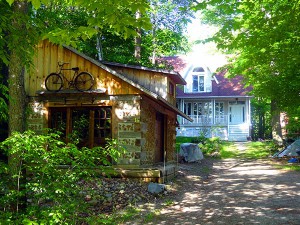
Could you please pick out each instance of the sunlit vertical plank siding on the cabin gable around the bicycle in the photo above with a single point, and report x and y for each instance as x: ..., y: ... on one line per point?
x: 45, y: 62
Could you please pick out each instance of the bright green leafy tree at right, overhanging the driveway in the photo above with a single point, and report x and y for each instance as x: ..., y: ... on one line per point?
x: 263, y: 40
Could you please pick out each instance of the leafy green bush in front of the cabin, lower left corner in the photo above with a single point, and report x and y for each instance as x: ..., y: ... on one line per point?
x: 50, y: 178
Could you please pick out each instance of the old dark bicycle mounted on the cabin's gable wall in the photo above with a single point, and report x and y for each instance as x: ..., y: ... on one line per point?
x: 83, y: 81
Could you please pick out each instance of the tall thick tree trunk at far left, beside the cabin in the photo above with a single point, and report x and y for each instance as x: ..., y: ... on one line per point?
x: 17, y: 95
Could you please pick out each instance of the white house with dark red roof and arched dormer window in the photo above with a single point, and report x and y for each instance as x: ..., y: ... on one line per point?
x: 219, y: 107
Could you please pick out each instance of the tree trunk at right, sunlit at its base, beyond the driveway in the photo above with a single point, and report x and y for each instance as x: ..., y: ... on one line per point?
x: 275, y: 123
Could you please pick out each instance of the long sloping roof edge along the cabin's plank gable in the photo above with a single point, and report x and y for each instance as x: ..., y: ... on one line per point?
x: 131, y: 82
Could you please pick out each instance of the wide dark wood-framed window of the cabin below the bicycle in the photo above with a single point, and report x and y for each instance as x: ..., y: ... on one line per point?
x: 88, y: 127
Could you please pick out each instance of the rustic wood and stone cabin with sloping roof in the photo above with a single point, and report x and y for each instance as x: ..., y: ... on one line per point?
x: 132, y: 104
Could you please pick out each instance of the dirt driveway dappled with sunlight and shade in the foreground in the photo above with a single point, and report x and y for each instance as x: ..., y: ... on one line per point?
x: 233, y: 192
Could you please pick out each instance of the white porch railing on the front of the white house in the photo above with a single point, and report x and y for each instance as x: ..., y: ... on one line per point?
x: 206, y: 120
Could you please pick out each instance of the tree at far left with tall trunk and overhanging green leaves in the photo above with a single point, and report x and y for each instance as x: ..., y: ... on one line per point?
x: 22, y: 30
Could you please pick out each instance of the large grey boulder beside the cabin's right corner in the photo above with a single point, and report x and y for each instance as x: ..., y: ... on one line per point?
x: 190, y: 152
